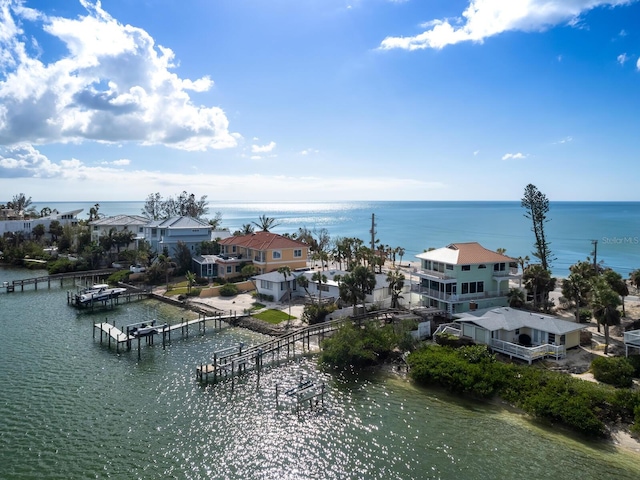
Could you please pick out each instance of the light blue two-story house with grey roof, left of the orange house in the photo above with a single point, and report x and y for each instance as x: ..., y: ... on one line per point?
x: 167, y: 233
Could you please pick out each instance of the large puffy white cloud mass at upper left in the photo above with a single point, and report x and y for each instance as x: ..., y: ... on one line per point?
x: 112, y: 84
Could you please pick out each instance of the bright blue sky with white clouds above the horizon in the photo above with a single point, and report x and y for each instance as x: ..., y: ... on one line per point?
x: 319, y: 100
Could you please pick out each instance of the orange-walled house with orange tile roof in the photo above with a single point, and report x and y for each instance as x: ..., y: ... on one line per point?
x: 265, y: 250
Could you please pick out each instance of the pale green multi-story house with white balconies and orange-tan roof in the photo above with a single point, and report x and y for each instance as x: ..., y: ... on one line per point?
x: 464, y: 276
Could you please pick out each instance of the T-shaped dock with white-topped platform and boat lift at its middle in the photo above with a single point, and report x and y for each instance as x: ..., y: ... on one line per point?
x: 125, y: 336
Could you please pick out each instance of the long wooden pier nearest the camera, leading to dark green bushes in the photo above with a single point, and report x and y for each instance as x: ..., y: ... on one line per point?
x: 232, y: 362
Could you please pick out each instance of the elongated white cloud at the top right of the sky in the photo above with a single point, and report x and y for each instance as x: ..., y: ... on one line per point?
x: 485, y: 18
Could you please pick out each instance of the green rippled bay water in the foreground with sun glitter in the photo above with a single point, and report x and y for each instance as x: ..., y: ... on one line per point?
x: 72, y: 408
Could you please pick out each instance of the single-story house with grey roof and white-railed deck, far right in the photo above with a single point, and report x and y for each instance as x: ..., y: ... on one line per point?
x: 519, y: 333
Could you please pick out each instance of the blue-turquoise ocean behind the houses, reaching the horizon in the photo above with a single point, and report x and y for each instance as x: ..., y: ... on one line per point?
x: 574, y: 229
